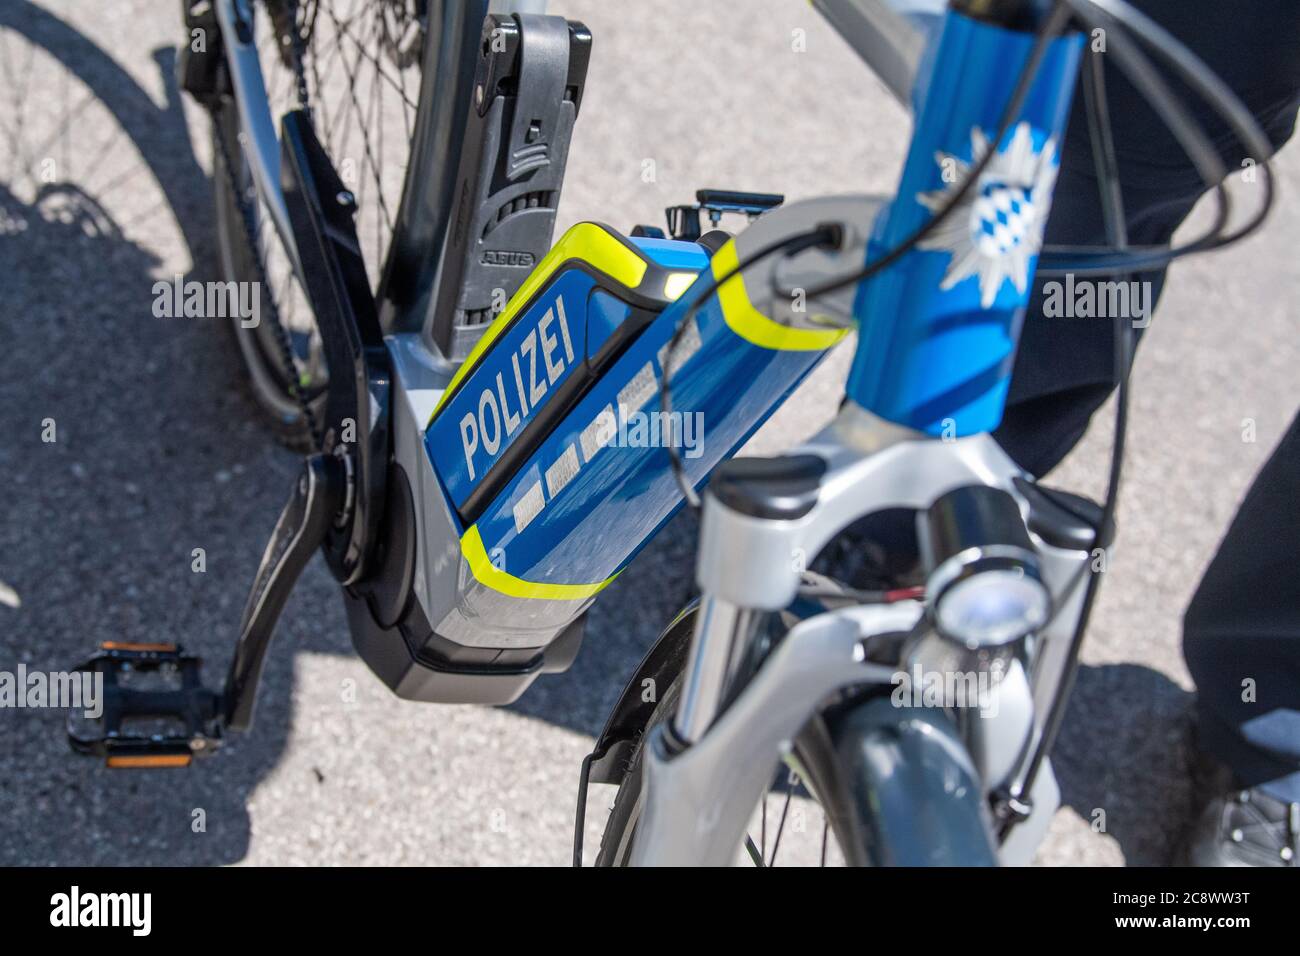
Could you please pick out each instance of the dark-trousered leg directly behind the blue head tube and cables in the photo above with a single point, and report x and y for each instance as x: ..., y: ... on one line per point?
x: 1065, y: 366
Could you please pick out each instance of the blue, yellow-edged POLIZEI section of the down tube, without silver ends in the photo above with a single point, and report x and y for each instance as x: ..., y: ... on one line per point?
x: 554, y: 509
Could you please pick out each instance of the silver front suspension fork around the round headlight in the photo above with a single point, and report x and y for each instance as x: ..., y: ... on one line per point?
x: 699, y: 802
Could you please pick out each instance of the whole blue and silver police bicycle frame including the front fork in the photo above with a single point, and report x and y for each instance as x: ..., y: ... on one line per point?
x: 491, y: 563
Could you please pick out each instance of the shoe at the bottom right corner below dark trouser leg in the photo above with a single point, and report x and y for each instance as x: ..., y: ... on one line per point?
x: 1243, y: 827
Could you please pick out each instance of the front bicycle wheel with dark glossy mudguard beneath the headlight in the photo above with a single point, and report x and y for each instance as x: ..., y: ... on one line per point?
x: 892, y: 786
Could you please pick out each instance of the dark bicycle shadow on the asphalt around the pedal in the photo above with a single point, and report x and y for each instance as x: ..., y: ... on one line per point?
x: 155, y: 453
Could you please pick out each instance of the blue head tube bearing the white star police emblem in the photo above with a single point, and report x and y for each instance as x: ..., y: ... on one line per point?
x: 938, y: 331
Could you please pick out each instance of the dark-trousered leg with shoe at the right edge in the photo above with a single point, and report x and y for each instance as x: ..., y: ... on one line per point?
x: 1242, y: 644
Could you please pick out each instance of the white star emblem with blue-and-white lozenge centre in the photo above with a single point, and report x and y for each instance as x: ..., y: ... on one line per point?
x: 998, y: 228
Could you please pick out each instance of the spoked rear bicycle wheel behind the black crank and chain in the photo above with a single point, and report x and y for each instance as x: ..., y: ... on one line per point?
x: 359, y: 64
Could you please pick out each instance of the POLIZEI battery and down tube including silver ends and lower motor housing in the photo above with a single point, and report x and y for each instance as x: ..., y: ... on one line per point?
x: 544, y: 466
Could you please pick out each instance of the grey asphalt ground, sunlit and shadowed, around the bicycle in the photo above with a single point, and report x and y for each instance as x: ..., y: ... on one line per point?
x: 105, y: 191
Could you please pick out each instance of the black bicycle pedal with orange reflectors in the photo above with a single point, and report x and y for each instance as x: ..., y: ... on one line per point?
x: 155, y: 711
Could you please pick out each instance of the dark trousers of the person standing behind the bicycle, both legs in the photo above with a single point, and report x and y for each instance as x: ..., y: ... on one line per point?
x: 1245, y: 620
